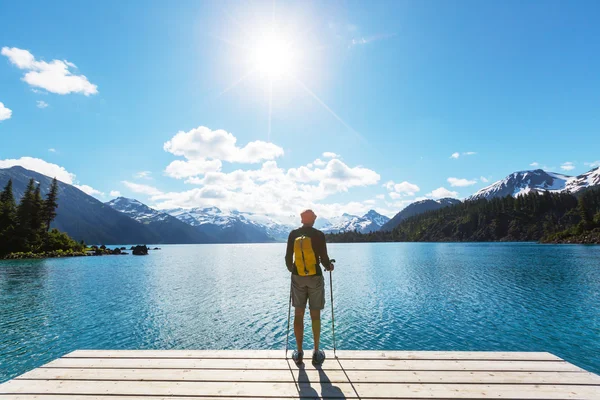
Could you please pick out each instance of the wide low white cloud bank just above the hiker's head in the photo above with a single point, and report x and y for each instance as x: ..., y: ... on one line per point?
x: 274, y: 191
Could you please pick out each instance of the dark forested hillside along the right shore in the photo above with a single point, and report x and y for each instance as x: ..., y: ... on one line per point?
x: 552, y: 218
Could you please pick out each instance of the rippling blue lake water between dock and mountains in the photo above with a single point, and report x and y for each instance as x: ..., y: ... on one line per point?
x: 392, y: 296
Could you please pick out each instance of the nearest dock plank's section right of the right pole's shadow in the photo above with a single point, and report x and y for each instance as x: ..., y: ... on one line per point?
x: 458, y: 391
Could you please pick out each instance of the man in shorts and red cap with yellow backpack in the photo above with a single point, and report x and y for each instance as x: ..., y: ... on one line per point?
x: 306, y: 250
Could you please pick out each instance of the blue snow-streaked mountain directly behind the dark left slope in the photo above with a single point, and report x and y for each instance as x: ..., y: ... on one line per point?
x: 168, y: 228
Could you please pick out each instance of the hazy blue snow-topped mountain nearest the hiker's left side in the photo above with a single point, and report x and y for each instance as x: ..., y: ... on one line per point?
x: 224, y: 227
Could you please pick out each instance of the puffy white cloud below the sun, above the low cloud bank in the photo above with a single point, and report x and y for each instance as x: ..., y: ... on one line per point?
x: 203, y: 143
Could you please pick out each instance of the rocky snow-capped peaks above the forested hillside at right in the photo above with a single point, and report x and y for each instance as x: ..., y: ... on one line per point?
x: 538, y: 180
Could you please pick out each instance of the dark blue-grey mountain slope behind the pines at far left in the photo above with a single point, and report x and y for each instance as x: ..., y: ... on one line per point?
x: 81, y: 216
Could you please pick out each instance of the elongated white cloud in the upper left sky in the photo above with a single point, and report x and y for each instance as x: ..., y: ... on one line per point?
x: 54, y: 76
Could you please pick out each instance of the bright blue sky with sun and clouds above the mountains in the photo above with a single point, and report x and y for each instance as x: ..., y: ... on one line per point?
x: 234, y: 103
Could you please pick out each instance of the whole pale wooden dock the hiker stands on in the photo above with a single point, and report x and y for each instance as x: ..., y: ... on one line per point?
x: 253, y: 374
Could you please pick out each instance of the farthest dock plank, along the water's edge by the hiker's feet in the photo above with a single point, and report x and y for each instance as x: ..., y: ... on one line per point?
x: 342, y: 354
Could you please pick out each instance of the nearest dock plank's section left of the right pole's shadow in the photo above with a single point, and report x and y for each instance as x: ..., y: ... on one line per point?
x: 241, y: 389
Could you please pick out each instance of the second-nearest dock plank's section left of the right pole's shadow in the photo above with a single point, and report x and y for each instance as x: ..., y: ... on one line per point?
x: 211, y: 375
